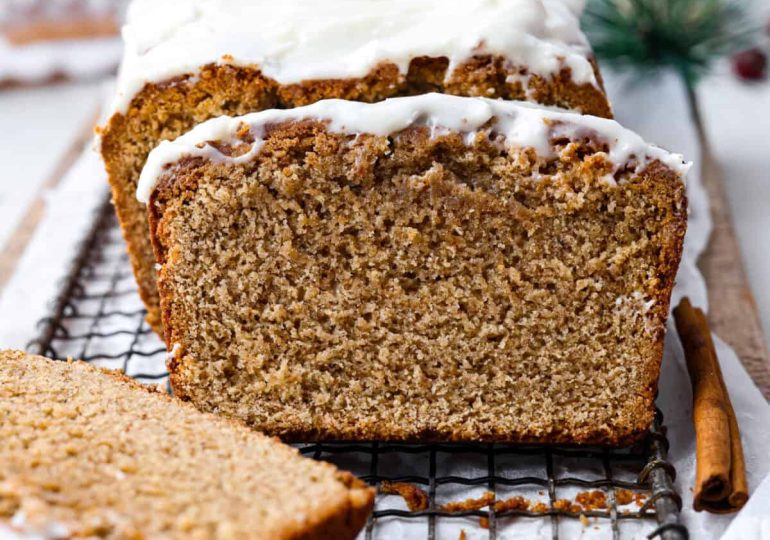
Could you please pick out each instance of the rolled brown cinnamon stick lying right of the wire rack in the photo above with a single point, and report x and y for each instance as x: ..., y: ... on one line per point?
x: 720, y: 472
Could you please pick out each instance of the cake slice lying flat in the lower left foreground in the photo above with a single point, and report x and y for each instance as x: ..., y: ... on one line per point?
x: 91, y: 453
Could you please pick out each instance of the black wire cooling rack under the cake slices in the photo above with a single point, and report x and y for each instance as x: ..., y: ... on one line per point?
x: 98, y: 317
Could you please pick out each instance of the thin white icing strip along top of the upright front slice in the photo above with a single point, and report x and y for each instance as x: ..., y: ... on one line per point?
x: 523, y: 125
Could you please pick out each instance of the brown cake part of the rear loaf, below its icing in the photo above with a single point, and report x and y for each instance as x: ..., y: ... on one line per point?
x: 167, y: 110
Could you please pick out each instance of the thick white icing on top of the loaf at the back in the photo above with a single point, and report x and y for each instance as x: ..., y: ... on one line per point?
x: 298, y: 40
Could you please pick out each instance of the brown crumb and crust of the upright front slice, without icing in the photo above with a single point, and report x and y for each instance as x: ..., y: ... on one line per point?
x: 482, y: 405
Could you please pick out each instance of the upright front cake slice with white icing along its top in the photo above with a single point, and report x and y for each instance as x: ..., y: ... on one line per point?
x: 424, y: 268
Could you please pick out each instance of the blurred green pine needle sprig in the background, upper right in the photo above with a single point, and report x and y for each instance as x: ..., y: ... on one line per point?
x: 686, y: 35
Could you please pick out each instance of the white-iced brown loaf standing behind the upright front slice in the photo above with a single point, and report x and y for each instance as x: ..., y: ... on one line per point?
x: 208, y: 59
